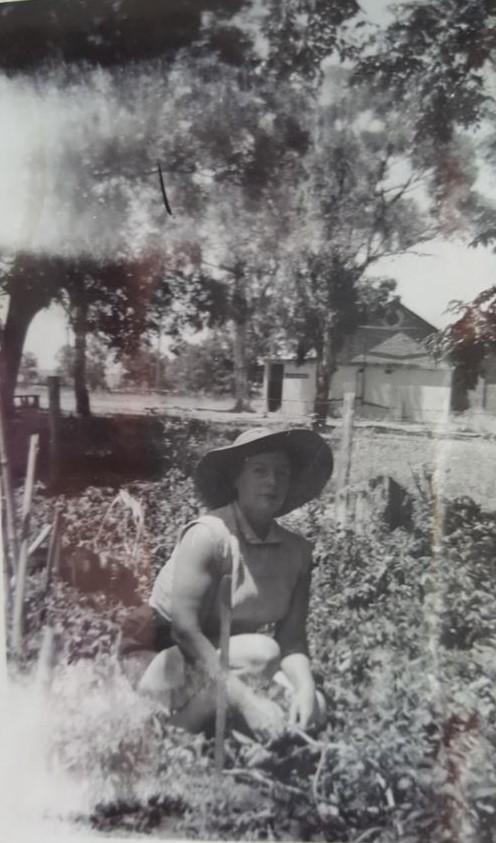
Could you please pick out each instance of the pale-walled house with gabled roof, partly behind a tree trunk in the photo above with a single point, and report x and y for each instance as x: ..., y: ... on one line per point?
x: 386, y: 364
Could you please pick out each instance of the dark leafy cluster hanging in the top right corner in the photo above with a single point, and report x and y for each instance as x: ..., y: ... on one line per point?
x: 433, y: 56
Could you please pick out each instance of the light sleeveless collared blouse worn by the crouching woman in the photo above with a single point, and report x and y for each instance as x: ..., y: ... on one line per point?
x: 265, y: 572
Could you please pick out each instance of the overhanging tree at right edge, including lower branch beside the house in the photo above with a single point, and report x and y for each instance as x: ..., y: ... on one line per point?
x: 437, y: 60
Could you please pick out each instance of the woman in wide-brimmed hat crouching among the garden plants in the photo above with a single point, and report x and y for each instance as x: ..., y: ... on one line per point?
x: 246, y: 485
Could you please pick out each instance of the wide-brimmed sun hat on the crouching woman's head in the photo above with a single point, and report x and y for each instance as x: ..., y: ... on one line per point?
x: 310, y: 456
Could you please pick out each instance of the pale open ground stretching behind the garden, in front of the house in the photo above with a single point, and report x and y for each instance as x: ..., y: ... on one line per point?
x: 466, y: 461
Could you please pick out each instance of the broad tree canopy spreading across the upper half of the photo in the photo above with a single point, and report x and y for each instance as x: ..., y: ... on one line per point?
x: 290, y: 182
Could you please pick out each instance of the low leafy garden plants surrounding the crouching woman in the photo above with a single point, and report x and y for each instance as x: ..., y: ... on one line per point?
x: 402, y: 635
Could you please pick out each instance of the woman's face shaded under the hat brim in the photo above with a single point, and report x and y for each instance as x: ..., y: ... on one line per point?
x: 263, y: 483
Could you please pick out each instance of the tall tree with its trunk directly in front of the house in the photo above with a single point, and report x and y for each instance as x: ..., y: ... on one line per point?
x: 360, y: 206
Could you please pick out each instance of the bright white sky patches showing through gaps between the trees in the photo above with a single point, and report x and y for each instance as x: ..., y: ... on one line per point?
x: 29, y: 146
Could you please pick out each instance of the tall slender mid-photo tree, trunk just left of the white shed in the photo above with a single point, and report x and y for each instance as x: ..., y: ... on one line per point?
x: 252, y: 145
